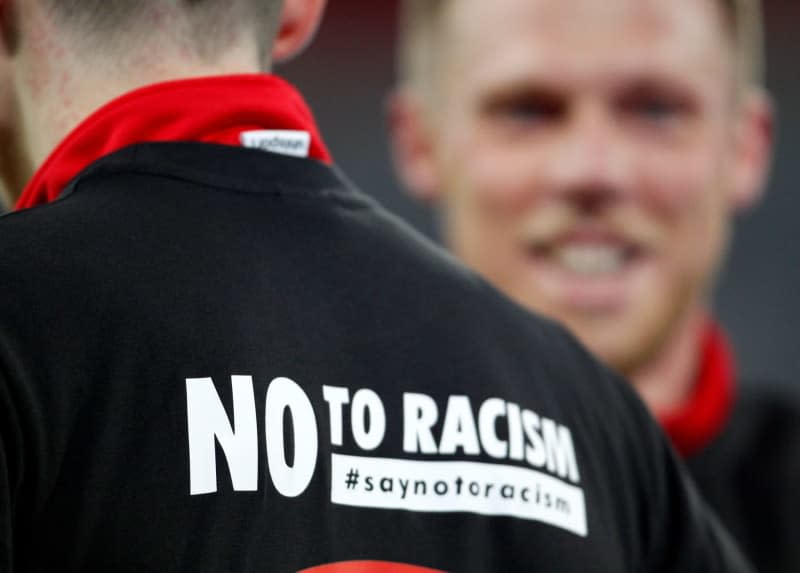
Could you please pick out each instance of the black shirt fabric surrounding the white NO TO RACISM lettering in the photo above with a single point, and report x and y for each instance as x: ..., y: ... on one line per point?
x: 168, y: 262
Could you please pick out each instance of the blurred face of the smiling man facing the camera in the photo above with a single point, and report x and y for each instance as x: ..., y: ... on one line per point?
x: 585, y: 152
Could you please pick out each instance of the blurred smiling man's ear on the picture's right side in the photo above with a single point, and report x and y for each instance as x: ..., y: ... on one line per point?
x: 754, y: 145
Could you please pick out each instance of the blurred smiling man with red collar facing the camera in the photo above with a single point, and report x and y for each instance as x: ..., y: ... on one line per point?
x: 588, y: 158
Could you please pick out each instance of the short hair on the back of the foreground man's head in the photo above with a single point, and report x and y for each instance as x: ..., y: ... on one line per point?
x: 207, y: 24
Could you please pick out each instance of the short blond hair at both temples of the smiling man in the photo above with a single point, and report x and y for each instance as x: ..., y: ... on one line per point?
x: 420, y: 26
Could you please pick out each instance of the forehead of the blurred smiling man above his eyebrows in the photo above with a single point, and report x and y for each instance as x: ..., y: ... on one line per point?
x: 585, y: 37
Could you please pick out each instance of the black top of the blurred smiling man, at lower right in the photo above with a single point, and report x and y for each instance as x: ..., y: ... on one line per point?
x: 750, y: 475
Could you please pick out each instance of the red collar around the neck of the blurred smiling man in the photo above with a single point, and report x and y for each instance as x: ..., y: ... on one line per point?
x: 701, y: 419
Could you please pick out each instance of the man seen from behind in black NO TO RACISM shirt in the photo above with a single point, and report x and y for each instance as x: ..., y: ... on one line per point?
x: 216, y: 355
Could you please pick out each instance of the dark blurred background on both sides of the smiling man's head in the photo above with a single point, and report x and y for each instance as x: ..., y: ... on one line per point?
x: 347, y: 75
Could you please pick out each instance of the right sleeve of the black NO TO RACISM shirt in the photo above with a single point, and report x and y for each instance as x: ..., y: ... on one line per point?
x: 666, y: 525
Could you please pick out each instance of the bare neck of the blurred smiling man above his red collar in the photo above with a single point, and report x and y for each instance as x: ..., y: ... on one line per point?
x: 666, y: 382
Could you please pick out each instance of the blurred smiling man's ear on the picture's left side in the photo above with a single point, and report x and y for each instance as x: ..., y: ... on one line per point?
x: 413, y: 146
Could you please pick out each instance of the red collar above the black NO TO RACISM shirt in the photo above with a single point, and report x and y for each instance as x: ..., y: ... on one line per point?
x: 212, y: 110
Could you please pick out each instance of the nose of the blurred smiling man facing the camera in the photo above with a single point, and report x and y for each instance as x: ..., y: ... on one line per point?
x: 593, y: 163
